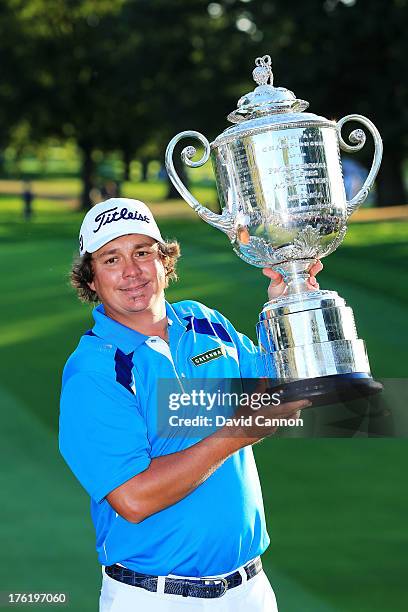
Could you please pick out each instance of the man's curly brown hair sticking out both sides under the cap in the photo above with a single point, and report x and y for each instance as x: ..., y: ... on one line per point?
x: 82, y: 272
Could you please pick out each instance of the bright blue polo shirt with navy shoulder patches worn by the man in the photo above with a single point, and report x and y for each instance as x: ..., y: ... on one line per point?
x: 108, y: 434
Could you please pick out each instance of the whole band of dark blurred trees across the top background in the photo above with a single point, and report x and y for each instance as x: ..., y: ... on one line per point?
x: 127, y: 75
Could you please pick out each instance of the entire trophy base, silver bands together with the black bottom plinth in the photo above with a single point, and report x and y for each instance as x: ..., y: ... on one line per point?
x: 311, y: 349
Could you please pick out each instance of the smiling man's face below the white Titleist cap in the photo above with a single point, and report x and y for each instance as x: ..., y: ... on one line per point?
x: 129, y: 275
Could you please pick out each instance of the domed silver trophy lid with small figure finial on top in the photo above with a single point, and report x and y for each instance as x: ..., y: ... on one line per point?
x: 265, y: 99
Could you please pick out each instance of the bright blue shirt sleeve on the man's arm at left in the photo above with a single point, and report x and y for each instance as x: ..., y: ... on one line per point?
x: 102, y: 436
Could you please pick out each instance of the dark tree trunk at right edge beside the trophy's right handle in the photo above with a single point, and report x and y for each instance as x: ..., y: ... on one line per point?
x: 390, y: 183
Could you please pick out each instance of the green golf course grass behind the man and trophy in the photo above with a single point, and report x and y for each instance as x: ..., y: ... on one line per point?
x: 336, y: 509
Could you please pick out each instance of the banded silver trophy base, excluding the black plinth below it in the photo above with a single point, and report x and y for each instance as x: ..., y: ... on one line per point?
x: 310, y: 335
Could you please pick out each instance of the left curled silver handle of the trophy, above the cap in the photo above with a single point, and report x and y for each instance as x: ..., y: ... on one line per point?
x: 223, y: 221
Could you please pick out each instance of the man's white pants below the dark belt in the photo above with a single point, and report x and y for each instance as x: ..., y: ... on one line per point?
x: 254, y: 595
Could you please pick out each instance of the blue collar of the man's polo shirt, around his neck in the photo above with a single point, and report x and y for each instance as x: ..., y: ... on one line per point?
x: 124, y: 337
